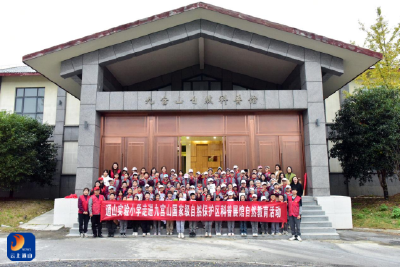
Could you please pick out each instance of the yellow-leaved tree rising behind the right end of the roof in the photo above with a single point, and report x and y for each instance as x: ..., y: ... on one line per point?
x: 381, y: 38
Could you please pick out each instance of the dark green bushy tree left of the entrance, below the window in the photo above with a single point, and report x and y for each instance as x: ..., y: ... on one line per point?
x: 25, y: 153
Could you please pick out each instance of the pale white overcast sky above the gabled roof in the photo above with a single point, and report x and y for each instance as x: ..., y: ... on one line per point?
x: 30, y: 26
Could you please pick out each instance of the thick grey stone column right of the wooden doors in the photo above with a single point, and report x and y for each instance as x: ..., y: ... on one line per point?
x: 316, y: 152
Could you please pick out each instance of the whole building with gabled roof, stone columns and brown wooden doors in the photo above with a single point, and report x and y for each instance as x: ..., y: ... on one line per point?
x: 195, y: 87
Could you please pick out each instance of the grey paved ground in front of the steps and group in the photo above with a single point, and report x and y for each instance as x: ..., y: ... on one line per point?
x: 356, y: 248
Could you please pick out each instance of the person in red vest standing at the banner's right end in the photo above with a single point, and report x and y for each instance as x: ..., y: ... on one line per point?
x: 295, y: 207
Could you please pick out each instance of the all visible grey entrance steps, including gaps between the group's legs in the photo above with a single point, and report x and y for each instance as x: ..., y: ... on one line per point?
x: 314, y: 225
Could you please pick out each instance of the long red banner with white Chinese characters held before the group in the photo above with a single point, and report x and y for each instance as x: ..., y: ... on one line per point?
x: 194, y: 211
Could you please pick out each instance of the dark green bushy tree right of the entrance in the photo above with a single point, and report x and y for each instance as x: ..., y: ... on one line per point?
x: 366, y: 135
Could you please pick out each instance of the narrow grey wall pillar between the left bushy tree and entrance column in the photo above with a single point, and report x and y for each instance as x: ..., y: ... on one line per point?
x: 59, y: 139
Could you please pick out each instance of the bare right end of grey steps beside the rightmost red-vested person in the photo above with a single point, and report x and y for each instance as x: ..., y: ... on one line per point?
x: 314, y: 223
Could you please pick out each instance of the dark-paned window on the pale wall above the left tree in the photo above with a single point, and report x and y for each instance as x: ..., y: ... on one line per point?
x: 30, y: 102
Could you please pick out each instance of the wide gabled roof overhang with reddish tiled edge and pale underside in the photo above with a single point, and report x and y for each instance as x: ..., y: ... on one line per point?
x: 355, y: 59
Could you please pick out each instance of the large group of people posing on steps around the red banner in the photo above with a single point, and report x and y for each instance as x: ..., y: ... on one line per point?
x: 259, y: 185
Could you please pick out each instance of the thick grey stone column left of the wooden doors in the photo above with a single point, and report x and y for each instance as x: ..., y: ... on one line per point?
x: 89, y: 123
